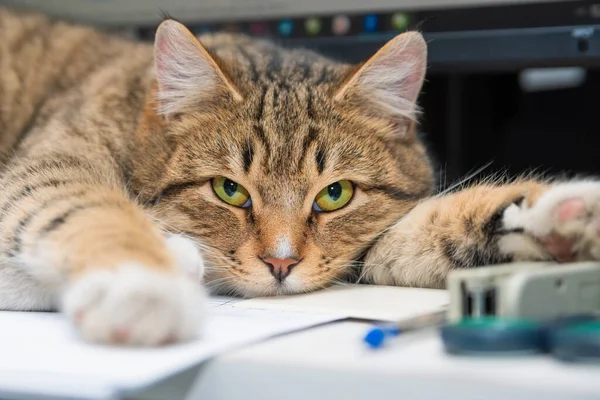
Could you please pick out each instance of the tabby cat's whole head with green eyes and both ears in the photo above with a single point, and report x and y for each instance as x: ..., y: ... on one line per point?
x: 286, y: 166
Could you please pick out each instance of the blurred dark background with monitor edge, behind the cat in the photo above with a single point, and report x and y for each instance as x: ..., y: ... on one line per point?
x: 511, y: 82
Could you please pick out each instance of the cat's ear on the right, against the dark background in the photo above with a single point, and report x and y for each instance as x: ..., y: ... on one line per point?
x: 389, y: 83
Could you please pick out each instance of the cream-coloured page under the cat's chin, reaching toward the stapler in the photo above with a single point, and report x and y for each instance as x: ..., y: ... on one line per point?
x: 379, y: 303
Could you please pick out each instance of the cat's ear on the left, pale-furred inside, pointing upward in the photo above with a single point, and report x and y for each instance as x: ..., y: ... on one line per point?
x: 186, y: 74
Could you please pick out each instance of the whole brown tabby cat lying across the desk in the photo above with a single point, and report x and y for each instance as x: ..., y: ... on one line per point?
x: 129, y: 167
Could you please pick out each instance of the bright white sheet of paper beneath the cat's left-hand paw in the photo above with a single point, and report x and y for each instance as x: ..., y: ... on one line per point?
x: 40, y: 353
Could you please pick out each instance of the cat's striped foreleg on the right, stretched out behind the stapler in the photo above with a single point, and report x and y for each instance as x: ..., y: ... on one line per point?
x: 526, y: 221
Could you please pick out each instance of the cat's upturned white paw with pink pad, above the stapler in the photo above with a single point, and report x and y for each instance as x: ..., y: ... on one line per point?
x: 564, y: 221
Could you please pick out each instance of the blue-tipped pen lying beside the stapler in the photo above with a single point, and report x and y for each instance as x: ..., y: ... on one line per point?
x: 376, y: 337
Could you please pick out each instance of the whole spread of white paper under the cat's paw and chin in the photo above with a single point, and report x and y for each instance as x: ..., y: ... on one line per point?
x: 42, y: 356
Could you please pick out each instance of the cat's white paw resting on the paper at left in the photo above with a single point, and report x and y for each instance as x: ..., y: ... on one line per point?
x: 135, y: 305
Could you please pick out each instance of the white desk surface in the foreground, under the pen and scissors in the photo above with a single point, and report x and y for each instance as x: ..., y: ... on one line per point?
x: 330, y: 362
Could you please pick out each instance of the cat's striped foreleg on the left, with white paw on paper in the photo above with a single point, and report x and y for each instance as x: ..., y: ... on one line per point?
x: 71, y: 238
